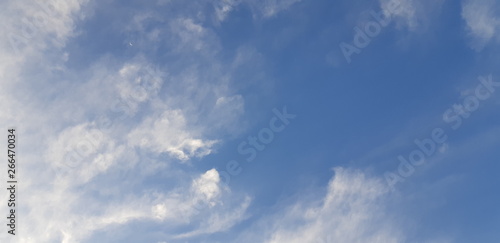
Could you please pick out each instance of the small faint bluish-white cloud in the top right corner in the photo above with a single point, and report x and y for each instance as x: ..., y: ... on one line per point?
x: 482, y: 22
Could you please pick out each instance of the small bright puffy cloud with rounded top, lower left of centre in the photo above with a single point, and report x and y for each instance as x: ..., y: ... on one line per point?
x: 208, y: 203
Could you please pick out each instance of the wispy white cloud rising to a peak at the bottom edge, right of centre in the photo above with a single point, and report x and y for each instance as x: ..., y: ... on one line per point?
x: 355, y: 207
